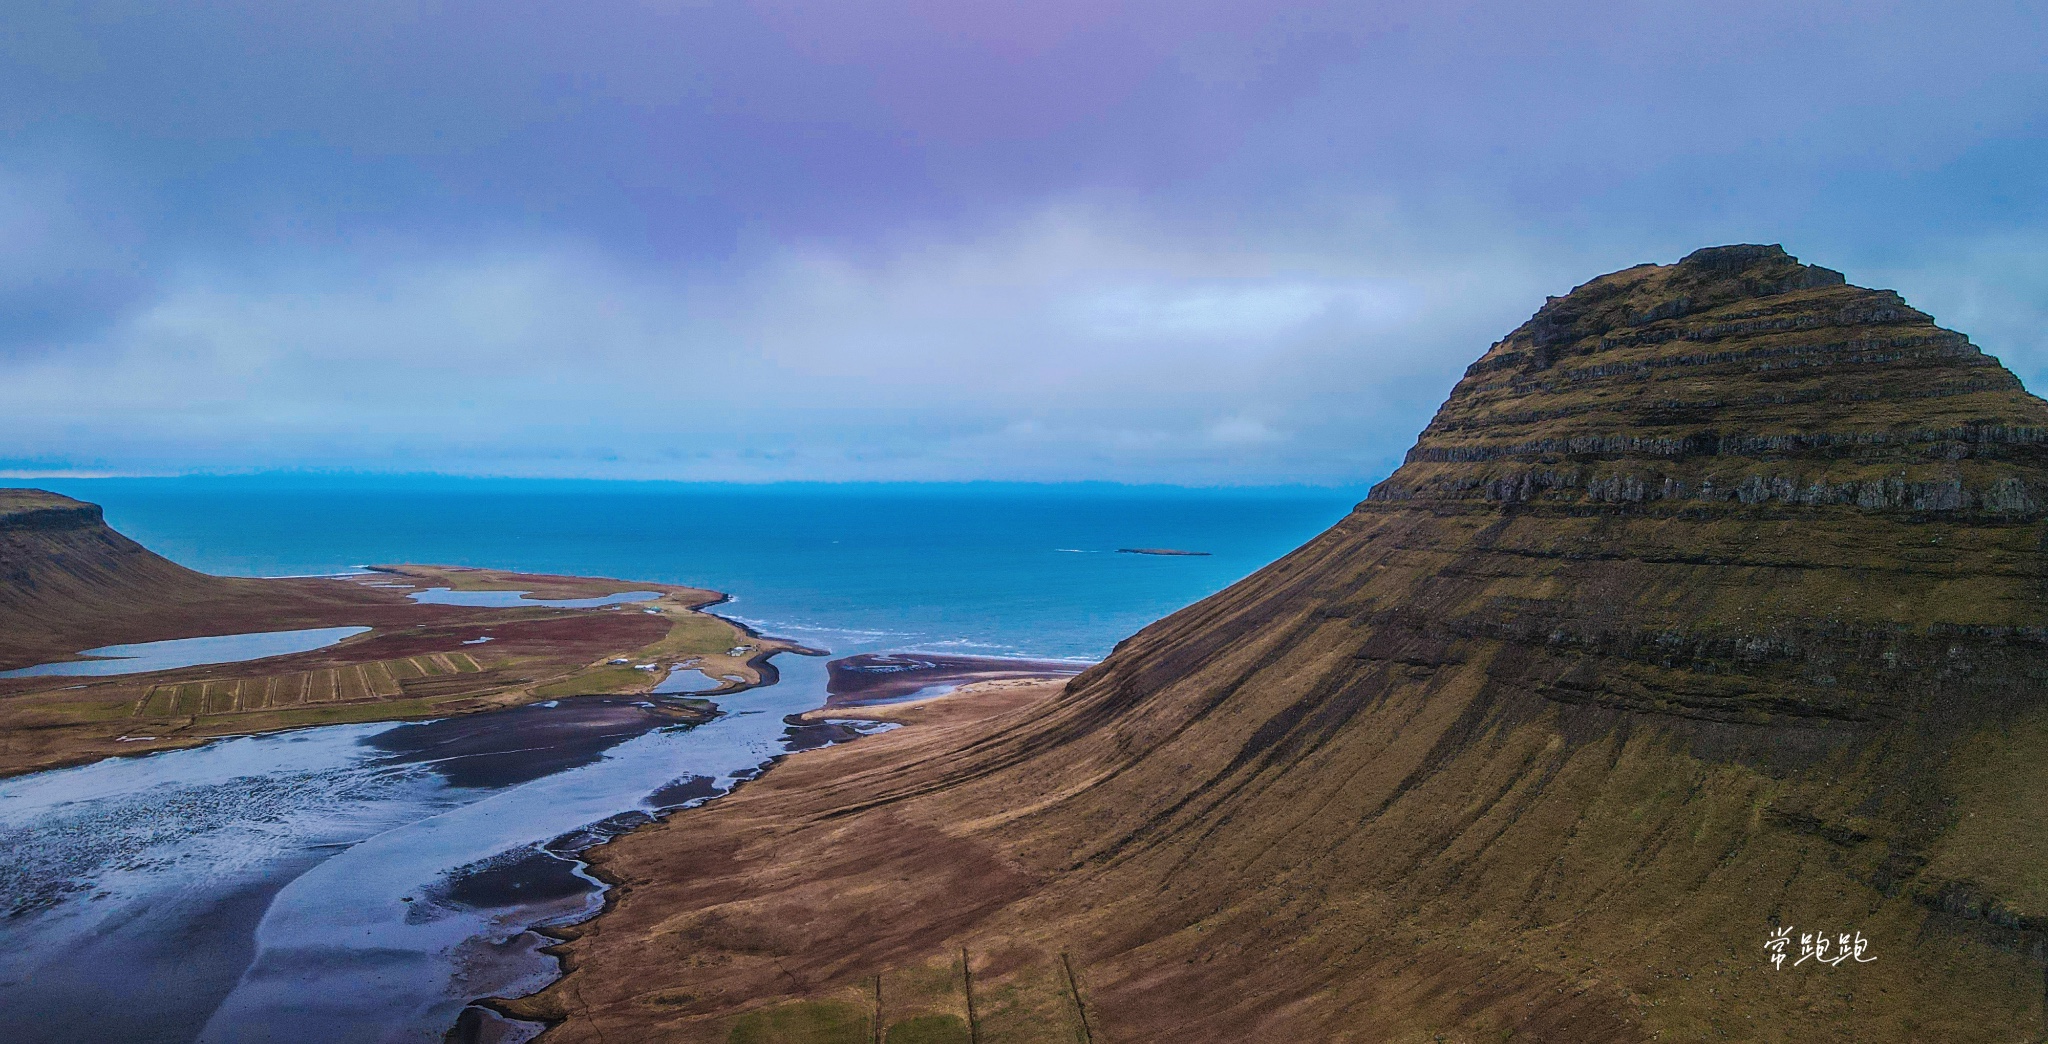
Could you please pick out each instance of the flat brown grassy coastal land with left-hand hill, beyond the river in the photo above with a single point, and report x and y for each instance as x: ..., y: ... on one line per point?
x: 89, y: 586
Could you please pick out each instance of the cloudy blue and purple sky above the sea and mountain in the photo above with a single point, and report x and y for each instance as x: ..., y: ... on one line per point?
x: 1205, y: 243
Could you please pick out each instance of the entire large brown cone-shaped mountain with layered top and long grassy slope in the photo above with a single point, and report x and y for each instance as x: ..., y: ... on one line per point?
x: 1711, y: 605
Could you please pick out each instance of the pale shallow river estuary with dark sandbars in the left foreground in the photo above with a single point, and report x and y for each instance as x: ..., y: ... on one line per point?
x: 343, y: 883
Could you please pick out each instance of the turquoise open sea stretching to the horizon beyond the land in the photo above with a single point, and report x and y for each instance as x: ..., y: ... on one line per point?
x: 986, y: 568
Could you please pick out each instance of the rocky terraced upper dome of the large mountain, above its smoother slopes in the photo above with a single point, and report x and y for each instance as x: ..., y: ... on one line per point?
x: 1738, y: 374
